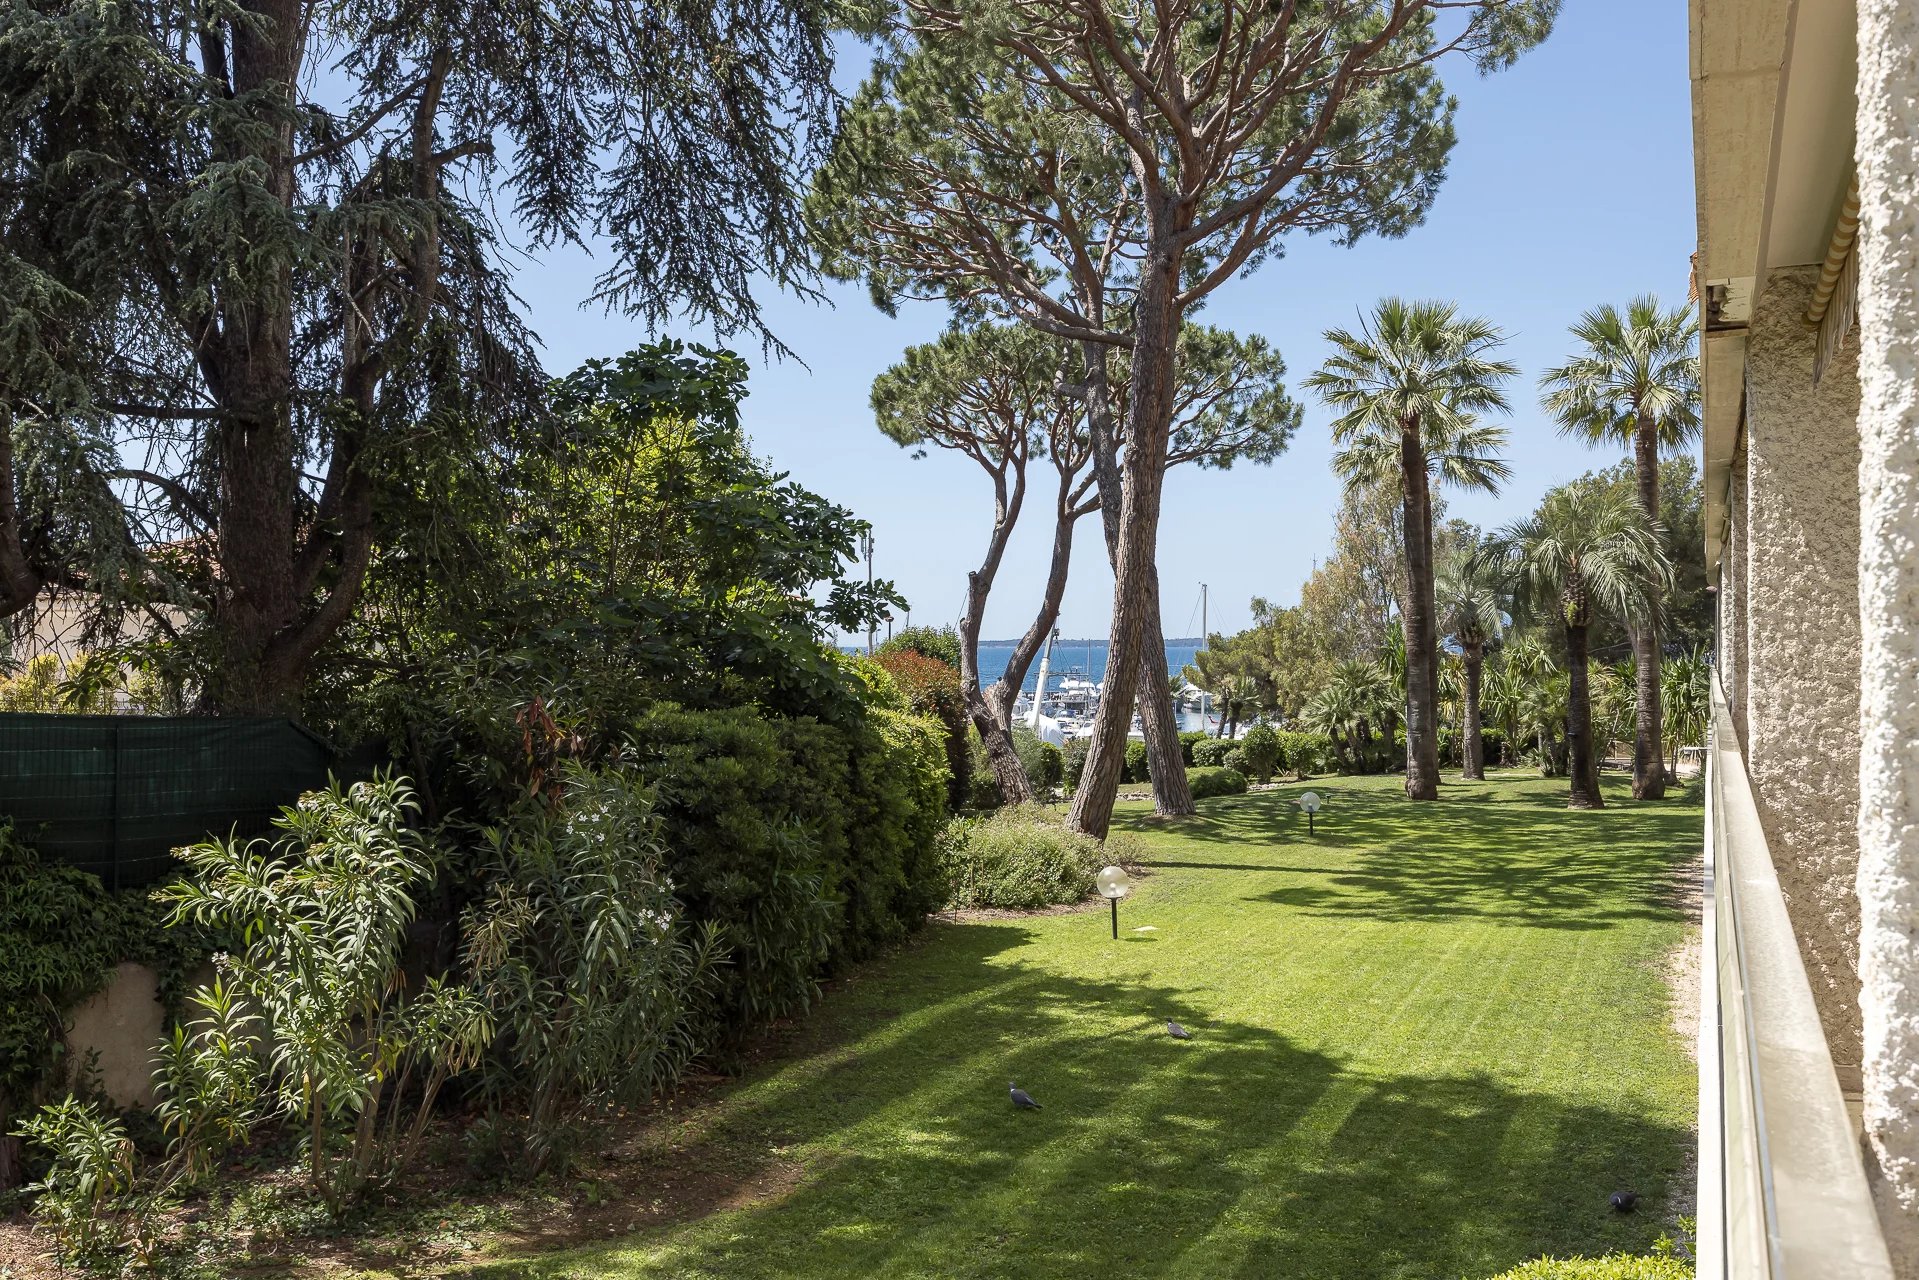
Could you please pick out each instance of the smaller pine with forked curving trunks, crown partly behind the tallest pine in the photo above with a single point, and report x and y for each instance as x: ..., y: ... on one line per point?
x: 999, y: 394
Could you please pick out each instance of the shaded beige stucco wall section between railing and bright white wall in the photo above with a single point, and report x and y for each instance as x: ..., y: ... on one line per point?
x: 1803, y: 640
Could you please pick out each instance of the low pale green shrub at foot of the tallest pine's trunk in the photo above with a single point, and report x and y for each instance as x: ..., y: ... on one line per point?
x: 1024, y: 859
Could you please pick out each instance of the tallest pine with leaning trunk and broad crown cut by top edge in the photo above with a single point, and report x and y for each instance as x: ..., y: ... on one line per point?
x: 1101, y: 170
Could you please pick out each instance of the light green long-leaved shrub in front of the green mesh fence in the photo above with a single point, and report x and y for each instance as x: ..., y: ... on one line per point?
x: 325, y: 911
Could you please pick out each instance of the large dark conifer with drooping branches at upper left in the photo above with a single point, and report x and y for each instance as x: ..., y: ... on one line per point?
x: 252, y: 268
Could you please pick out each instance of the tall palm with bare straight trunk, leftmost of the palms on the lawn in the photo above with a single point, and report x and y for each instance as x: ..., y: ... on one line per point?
x: 1411, y: 385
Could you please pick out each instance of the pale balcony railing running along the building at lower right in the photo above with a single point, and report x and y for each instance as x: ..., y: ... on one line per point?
x: 1782, y: 1189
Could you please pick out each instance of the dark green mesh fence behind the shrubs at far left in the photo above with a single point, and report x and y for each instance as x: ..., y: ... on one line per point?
x: 114, y: 795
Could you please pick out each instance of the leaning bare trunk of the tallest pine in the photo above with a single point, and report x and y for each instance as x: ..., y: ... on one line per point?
x: 1135, y: 575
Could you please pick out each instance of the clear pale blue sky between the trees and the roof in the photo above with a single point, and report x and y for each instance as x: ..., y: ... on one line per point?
x: 1571, y: 185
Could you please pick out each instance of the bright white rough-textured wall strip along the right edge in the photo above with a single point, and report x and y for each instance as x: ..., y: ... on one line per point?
x: 1889, y: 609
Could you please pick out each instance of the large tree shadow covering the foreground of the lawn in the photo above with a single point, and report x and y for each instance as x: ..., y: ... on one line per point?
x: 1237, y: 1154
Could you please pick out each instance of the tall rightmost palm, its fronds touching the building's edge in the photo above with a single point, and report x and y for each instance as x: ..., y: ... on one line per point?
x: 1634, y: 383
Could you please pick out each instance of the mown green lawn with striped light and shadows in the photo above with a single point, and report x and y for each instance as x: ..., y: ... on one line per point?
x: 1429, y: 1043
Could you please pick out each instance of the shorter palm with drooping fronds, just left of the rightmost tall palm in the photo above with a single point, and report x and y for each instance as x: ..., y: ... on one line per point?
x: 1586, y: 550
